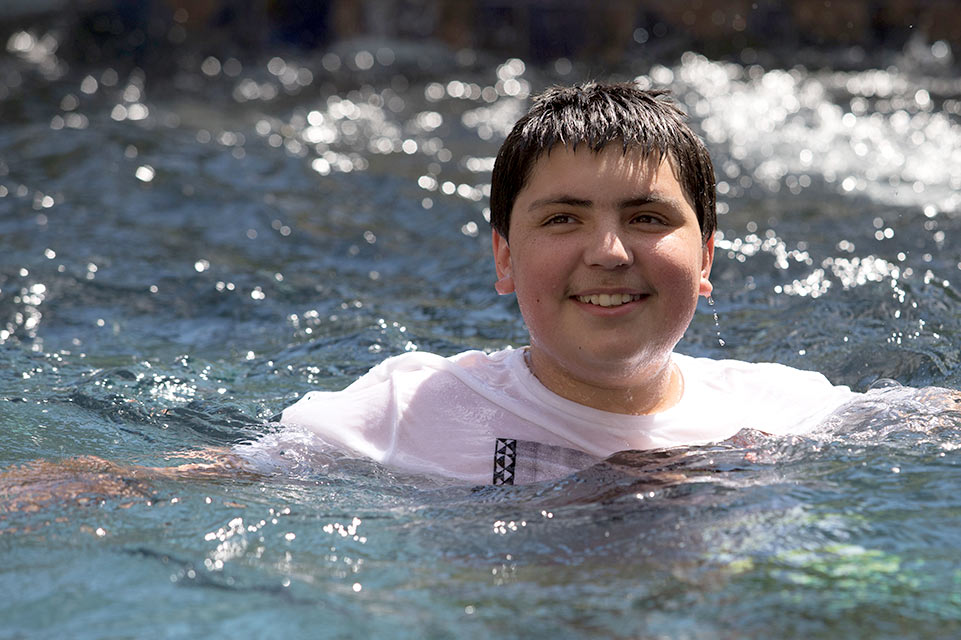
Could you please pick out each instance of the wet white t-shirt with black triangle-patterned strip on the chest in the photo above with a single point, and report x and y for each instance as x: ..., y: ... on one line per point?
x: 485, y: 418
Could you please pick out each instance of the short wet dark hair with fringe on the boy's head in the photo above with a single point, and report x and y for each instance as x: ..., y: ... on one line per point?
x: 598, y: 115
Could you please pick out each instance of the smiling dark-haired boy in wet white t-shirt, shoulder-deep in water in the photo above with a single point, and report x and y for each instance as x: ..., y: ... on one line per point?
x: 603, y: 218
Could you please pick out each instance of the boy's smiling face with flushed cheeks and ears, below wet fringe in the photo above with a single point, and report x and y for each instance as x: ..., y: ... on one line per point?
x: 607, y: 262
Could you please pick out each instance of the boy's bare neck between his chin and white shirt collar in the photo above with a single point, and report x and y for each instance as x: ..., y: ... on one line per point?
x: 651, y: 391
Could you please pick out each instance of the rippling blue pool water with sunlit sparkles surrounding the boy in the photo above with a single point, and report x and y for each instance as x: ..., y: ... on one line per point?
x: 186, y: 251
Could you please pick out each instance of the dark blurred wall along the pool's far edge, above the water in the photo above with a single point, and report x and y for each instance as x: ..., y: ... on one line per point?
x: 146, y: 31
